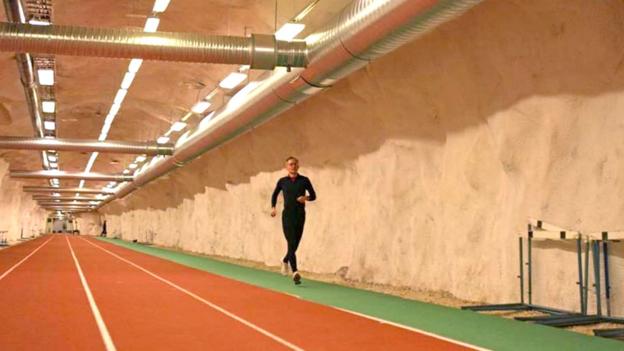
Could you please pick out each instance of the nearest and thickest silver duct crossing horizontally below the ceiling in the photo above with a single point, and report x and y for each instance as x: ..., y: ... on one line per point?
x: 260, y: 51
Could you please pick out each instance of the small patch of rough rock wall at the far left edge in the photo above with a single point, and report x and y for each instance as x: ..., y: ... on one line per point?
x: 19, y: 214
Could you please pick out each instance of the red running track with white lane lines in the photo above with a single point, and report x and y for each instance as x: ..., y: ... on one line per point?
x: 127, y: 300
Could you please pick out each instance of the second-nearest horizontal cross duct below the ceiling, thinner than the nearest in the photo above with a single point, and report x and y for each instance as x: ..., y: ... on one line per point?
x: 122, y: 147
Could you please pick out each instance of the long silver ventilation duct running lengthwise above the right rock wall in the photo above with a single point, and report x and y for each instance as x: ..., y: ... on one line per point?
x: 365, y: 30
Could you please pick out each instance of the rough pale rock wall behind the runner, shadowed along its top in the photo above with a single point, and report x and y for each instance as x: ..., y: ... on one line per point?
x: 429, y: 161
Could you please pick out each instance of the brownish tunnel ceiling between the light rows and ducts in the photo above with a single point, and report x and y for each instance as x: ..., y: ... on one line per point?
x: 162, y: 92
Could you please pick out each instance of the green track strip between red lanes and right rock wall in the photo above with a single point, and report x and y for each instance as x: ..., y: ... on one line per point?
x: 490, y: 332
